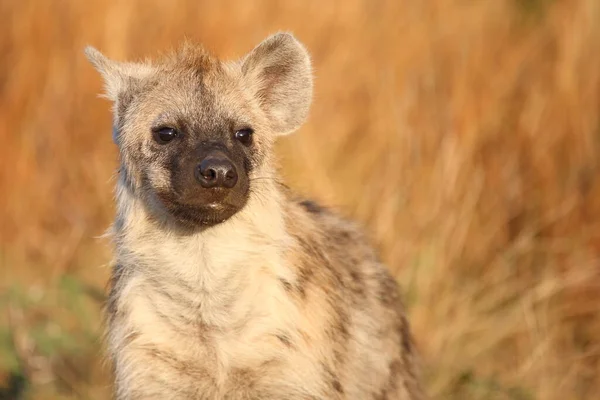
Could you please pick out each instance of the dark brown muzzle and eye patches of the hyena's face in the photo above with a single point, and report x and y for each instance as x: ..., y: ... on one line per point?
x: 208, y: 173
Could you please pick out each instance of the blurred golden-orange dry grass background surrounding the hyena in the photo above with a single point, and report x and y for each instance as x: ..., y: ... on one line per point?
x: 463, y: 134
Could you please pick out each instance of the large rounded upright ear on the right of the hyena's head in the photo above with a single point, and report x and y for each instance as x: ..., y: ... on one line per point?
x: 279, y: 72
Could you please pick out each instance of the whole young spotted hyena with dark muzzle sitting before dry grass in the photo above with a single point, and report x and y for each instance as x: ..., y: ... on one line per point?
x: 225, y: 284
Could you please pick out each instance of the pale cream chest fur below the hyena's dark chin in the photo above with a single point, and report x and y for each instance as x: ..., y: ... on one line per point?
x: 204, y: 309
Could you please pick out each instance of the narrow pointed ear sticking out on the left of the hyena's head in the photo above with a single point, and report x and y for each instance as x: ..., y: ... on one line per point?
x: 119, y: 77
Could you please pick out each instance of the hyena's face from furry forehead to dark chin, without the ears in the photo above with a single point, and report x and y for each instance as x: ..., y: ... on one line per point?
x: 193, y: 151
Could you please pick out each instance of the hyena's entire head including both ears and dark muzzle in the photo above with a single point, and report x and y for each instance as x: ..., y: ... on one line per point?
x: 195, y: 133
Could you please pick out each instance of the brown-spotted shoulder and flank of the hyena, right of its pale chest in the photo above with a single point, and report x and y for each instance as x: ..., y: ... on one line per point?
x: 340, y: 273
